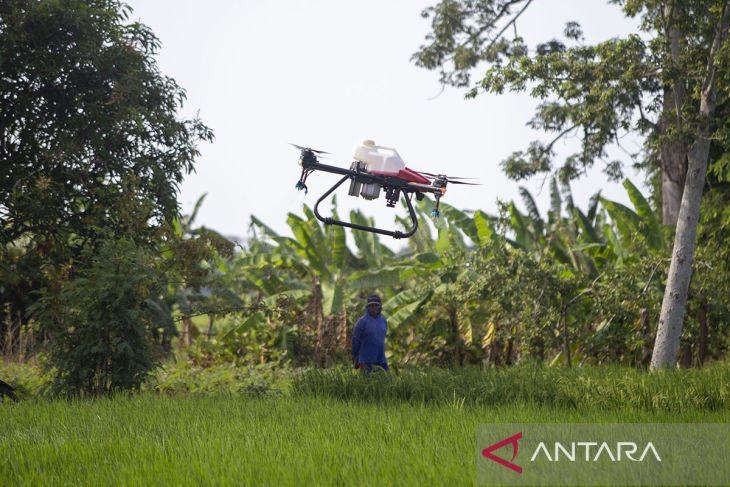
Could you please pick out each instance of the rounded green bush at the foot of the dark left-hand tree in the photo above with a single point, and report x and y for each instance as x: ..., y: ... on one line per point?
x: 101, y: 327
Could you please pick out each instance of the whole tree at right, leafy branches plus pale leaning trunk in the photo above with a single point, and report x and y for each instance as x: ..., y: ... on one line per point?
x: 664, y: 85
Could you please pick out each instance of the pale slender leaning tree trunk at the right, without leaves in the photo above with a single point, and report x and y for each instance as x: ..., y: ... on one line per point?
x: 680, y: 270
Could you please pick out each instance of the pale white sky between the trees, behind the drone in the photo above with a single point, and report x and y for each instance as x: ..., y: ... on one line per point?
x: 327, y: 73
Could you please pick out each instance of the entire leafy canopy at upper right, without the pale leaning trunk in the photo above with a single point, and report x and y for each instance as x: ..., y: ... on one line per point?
x: 598, y: 92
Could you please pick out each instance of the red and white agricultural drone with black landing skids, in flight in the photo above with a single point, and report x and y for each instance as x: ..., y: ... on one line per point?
x: 377, y: 170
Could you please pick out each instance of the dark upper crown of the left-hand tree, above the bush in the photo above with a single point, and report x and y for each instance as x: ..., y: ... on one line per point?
x: 90, y: 137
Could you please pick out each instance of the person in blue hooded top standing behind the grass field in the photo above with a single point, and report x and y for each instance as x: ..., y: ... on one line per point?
x: 368, y: 337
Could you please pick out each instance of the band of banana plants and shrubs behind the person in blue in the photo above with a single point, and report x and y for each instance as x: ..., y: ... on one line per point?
x: 574, y: 288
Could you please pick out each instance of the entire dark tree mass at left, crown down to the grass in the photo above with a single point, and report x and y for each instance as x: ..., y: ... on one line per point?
x: 92, y: 151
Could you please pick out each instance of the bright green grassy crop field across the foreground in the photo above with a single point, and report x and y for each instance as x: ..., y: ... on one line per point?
x: 305, y: 436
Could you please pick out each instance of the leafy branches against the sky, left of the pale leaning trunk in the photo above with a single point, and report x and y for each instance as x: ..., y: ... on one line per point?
x: 593, y: 91
